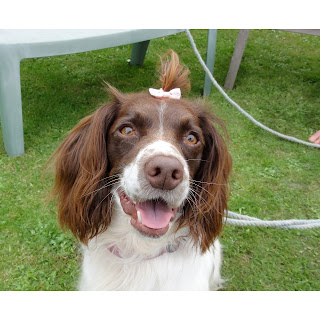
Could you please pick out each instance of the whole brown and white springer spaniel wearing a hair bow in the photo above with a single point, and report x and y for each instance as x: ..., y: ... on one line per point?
x: 142, y: 183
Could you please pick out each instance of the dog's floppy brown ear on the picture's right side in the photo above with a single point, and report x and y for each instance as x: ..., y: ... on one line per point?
x: 210, y: 186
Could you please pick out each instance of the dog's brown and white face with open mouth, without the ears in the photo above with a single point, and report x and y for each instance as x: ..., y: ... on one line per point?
x: 155, y: 155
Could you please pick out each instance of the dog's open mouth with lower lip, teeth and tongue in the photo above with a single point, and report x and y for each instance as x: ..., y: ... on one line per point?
x: 150, y: 217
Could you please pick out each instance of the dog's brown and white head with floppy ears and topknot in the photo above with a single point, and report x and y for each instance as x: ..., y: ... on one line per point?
x: 159, y: 164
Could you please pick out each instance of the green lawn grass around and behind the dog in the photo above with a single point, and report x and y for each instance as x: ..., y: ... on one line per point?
x: 278, y: 83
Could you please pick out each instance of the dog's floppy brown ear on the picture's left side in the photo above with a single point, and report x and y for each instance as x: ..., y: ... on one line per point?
x: 81, y: 164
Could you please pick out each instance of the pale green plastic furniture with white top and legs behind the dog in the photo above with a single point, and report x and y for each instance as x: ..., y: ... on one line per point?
x: 16, y: 45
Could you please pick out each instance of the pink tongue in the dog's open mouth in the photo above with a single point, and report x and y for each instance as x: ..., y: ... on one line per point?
x: 154, y: 214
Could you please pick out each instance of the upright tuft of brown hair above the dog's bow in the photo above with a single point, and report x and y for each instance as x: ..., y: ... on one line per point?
x: 173, y: 74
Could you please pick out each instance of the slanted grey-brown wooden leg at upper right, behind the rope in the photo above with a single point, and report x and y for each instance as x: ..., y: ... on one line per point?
x: 236, y: 59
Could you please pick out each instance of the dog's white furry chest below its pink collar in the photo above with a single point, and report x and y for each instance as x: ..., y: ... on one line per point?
x: 171, y: 271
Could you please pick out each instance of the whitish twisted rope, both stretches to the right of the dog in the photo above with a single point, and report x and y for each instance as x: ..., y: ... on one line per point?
x: 237, y: 219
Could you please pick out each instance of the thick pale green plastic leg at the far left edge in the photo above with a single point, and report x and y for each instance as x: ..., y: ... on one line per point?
x: 10, y: 106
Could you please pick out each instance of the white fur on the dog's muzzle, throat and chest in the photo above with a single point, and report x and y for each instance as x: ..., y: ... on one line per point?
x: 142, y: 266
